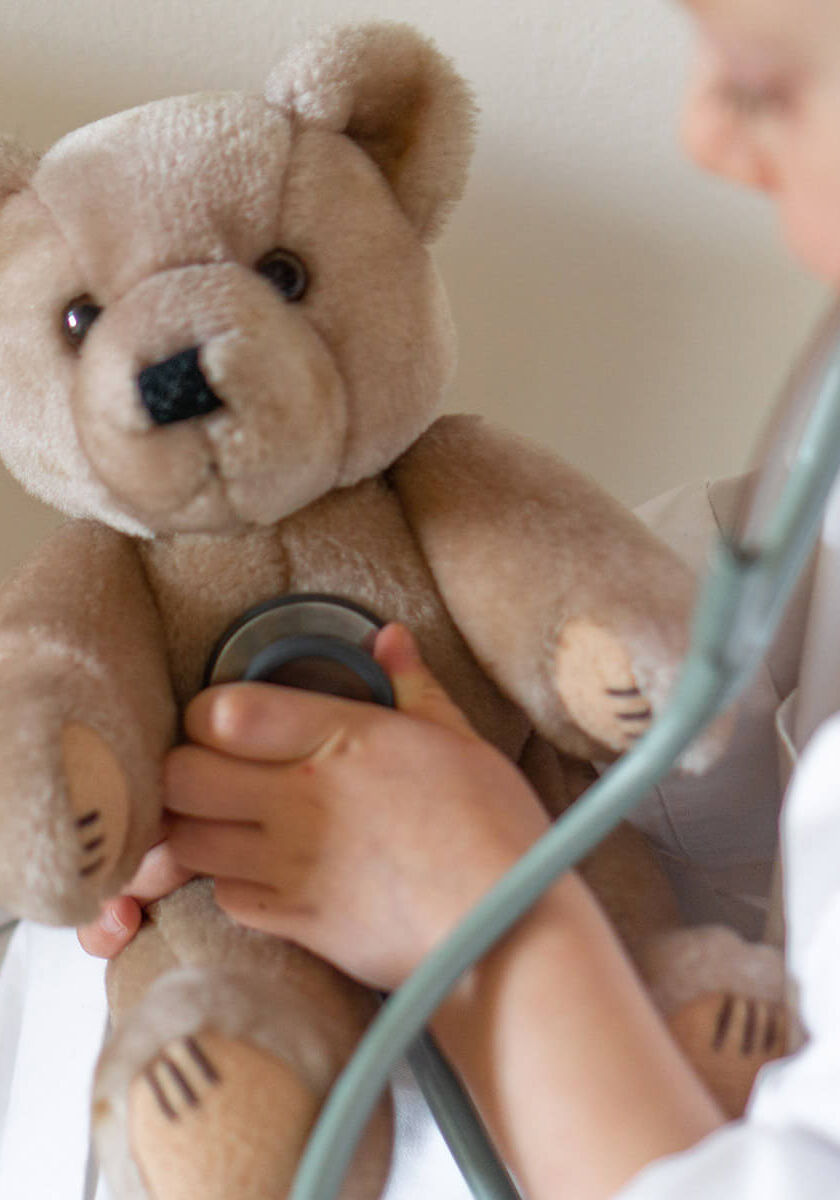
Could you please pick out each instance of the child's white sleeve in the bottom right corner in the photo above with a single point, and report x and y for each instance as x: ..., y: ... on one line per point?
x: 789, y: 1143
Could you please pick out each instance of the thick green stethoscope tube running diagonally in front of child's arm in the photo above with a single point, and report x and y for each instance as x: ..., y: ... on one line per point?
x: 739, y: 613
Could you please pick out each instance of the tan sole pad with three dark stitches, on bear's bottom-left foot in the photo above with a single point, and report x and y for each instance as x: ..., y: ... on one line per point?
x: 218, y: 1118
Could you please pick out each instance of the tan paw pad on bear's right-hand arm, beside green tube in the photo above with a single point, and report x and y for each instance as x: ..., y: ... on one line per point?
x: 596, y: 679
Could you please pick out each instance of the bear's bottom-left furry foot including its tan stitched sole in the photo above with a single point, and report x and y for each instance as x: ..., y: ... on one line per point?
x: 212, y: 1085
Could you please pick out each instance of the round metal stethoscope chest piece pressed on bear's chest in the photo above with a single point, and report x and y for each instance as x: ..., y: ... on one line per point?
x: 311, y: 641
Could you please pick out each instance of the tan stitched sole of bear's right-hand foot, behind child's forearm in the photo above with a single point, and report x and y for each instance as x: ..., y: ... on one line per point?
x: 729, y: 1039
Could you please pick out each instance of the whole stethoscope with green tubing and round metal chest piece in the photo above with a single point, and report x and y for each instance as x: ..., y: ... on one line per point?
x: 325, y: 643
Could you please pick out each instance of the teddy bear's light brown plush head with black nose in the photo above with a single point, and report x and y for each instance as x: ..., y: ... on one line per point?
x: 218, y: 308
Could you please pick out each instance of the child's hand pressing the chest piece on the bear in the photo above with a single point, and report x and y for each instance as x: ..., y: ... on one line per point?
x: 359, y: 832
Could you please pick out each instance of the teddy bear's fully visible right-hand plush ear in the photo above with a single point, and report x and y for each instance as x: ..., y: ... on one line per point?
x: 399, y: 99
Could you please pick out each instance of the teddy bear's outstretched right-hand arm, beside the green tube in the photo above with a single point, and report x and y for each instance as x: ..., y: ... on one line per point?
x: 568, y: 602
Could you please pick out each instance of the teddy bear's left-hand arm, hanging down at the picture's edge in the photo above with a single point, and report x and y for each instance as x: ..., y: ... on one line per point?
x: 86, y: 716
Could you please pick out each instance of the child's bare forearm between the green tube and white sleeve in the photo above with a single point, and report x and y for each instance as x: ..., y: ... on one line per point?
x: 572, y: 1067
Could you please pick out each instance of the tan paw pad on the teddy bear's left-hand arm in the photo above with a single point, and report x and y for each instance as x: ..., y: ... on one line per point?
x: 98, y: 790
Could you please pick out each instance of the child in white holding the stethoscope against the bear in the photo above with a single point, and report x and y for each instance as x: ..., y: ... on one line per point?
x: 571, y: 1065
